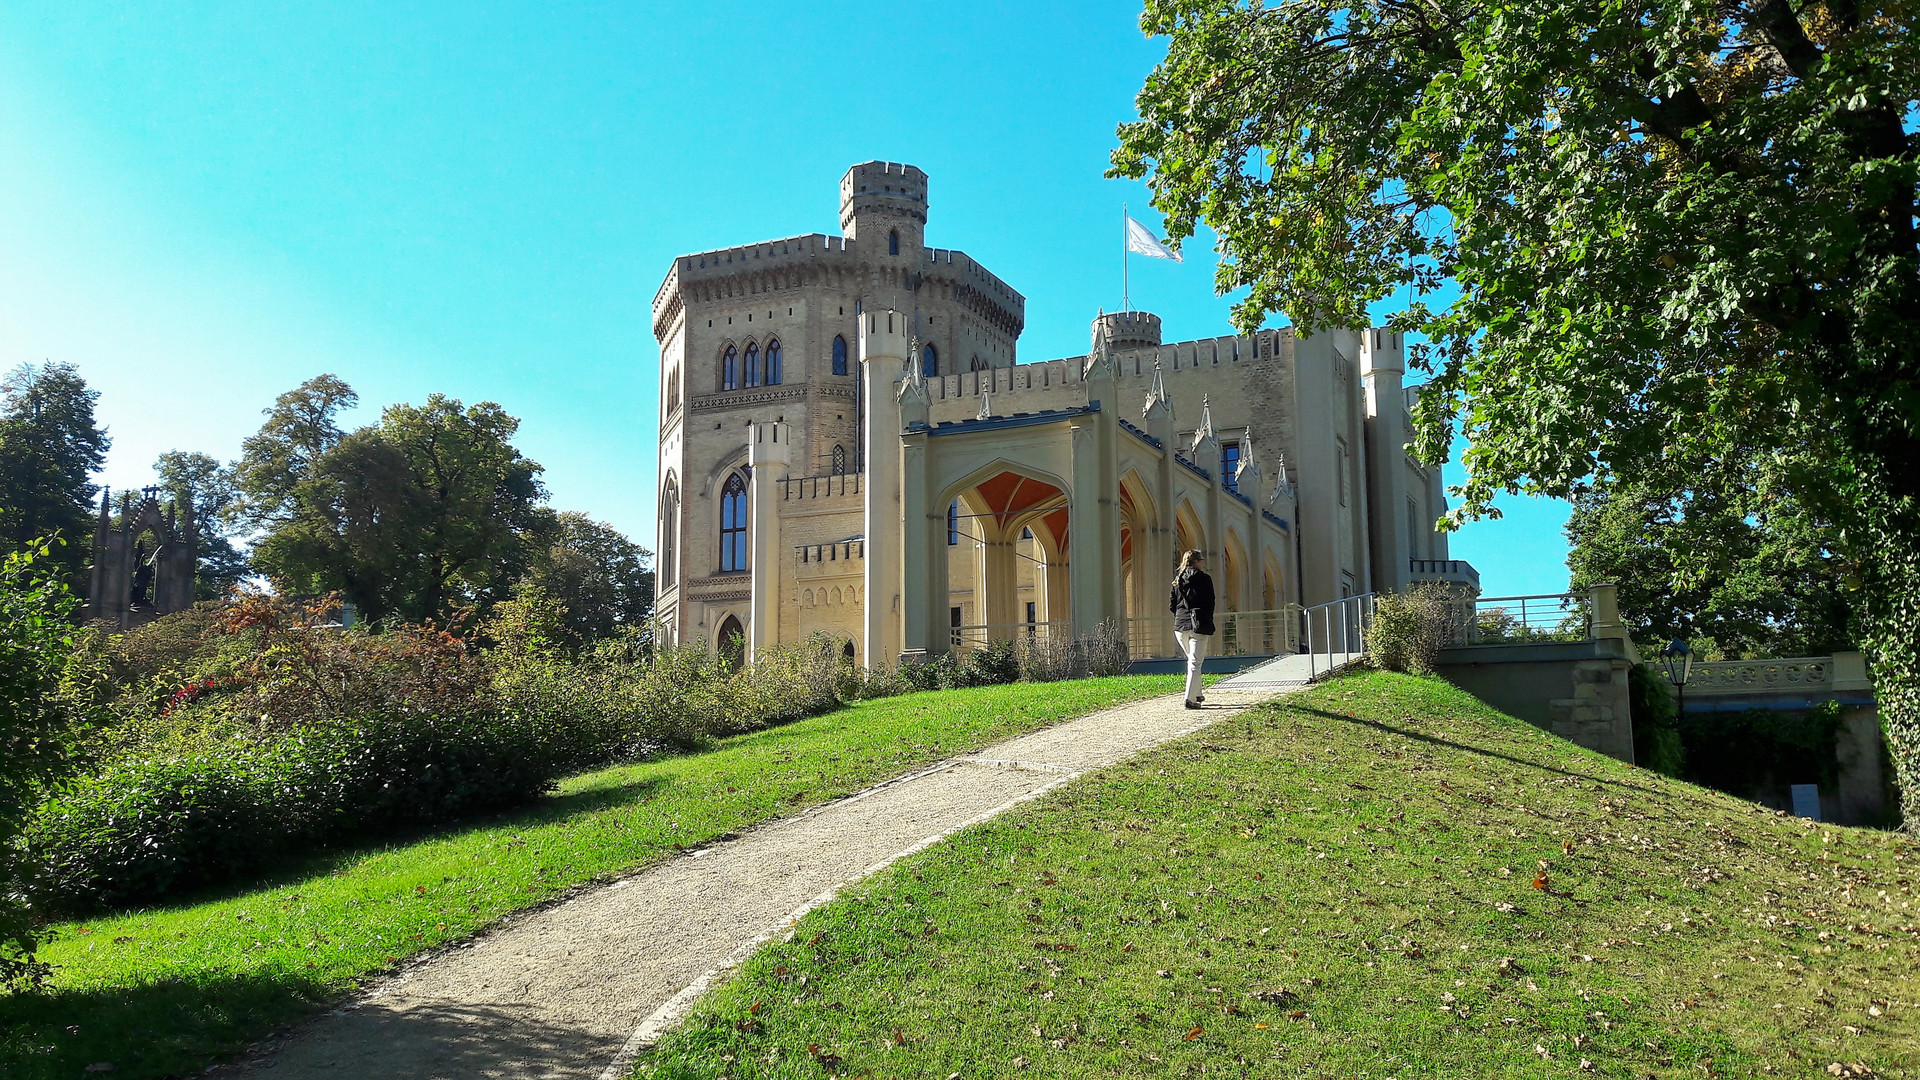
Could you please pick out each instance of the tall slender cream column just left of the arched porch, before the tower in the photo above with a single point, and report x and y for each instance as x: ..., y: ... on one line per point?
x: 884, y: 343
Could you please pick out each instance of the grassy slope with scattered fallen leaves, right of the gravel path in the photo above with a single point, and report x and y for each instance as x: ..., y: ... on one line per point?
x: 1376, y: 879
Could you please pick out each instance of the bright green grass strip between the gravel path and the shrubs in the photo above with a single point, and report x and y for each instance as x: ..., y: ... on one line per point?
x: 166, y: 993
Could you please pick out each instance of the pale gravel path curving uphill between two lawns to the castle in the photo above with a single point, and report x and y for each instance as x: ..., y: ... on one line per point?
x: 577, y: 991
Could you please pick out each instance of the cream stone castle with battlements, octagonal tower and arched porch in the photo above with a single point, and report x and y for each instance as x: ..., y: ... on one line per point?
x: 850, y: 445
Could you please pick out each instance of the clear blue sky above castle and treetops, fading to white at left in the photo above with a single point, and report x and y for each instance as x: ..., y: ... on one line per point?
x: 204, y: 205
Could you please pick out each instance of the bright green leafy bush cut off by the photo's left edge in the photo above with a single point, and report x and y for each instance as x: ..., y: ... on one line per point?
x: 36, y: 727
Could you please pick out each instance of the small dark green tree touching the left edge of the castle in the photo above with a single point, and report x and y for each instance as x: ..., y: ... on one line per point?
x: 598, y: 576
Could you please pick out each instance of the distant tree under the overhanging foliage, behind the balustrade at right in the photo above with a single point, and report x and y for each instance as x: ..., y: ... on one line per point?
x: 1694, y: 568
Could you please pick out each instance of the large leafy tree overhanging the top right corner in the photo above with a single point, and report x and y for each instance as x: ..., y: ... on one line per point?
x: 1683, y: 237
